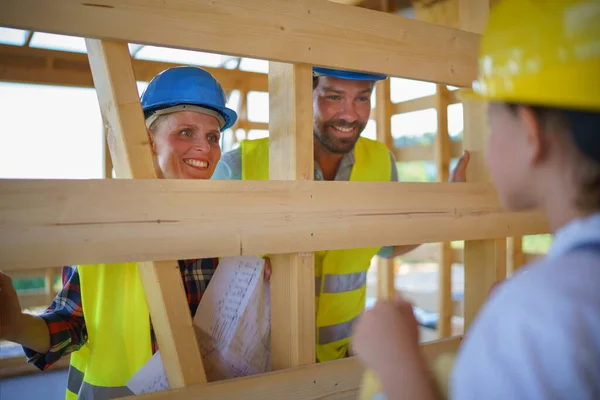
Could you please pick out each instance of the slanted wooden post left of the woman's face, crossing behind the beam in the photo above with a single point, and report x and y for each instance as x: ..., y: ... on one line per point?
x: 130, y: 149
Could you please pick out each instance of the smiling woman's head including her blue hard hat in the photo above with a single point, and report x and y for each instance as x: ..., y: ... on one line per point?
x: 185, y: 114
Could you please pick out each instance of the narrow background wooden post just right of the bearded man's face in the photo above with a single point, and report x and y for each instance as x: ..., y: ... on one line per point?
x: 383, y: 115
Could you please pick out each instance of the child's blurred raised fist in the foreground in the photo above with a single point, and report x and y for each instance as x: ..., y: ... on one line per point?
x: 386, y: 336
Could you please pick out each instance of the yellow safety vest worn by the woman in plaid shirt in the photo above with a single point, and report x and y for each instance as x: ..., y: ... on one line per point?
x: 118, y: 328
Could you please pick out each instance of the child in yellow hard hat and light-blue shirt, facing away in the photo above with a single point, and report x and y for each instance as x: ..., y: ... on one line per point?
x: 538, y: 335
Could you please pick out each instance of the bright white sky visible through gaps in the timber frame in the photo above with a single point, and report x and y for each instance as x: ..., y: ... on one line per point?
x: 56, y: 132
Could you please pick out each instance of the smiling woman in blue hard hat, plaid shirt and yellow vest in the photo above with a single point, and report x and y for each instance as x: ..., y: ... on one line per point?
x: 185, y: 114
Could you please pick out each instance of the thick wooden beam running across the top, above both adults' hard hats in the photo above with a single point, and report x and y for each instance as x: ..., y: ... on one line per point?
x: 312, y: 32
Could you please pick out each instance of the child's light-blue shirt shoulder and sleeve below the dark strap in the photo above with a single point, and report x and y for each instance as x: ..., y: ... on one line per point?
x: 530, y: 340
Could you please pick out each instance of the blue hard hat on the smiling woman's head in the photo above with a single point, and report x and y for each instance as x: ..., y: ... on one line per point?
x: 187, y: 85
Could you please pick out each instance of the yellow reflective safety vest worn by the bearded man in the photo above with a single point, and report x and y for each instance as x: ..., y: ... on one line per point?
x: 340, y: 275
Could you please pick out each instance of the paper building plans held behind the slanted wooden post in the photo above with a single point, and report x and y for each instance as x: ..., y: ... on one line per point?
x: 232, y: 325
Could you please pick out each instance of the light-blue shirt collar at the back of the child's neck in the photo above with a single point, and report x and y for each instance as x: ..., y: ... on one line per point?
x: 574, y: 233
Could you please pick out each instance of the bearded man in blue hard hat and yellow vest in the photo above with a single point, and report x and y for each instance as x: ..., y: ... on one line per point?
x: 341, y: 110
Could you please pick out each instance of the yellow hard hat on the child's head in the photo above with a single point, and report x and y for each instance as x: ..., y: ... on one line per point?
x: 541, y: 52
